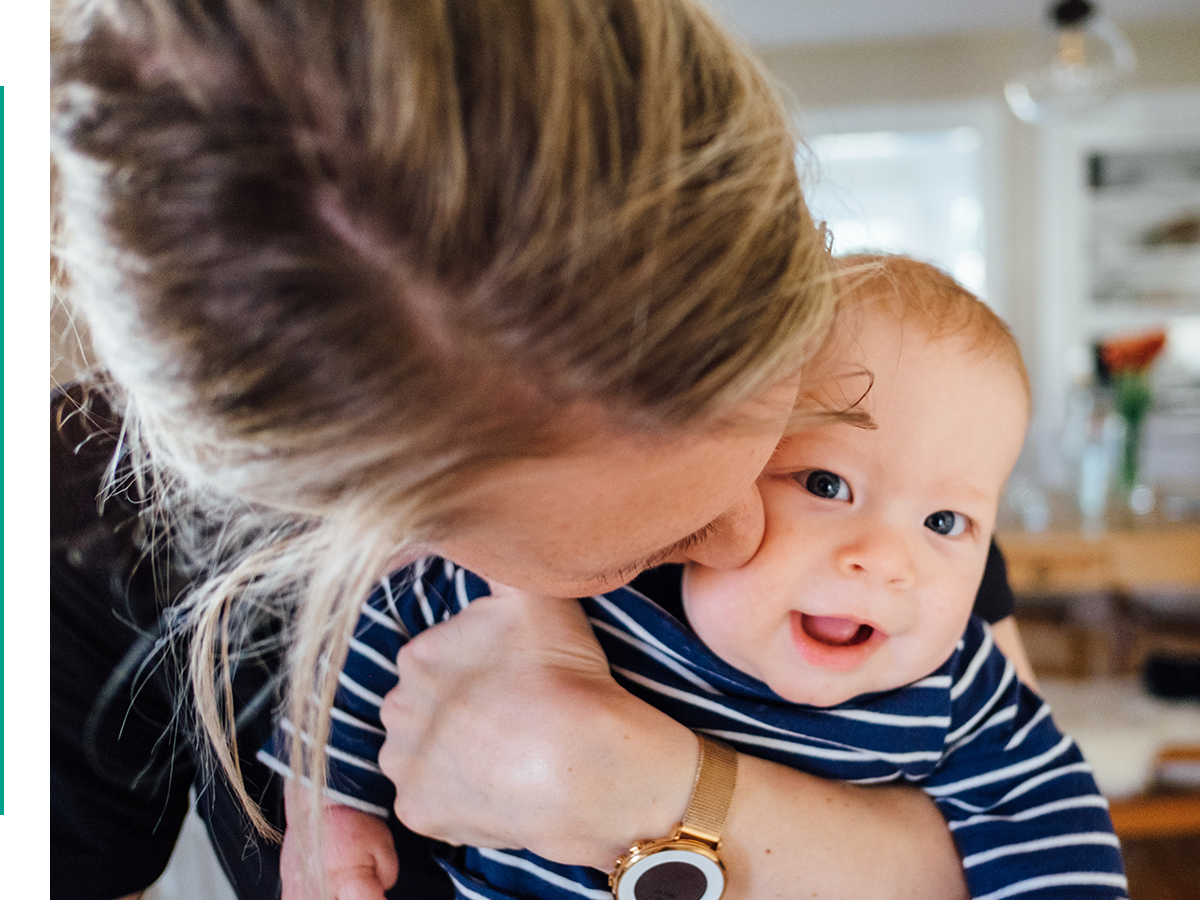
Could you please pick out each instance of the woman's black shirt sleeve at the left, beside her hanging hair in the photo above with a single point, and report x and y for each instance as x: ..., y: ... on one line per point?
x: 117, y: 789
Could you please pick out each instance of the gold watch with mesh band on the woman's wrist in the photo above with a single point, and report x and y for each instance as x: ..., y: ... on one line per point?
x: 686, y: 865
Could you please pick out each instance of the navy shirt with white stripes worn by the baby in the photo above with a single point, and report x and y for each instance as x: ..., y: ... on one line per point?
x: 1019, y: 799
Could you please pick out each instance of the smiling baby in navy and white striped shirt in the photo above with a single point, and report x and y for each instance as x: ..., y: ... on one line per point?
x: 845, y: 647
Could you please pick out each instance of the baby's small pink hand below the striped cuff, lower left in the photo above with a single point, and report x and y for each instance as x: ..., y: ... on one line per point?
x: 361, y: 857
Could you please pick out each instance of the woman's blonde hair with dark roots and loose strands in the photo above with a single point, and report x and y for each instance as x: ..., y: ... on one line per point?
x: 341, y: 260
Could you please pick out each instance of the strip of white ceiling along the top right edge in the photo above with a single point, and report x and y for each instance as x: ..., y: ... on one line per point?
x: 773, y: 23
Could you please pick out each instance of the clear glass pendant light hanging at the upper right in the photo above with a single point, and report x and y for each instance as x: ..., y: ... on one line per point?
x: 1073, y: 68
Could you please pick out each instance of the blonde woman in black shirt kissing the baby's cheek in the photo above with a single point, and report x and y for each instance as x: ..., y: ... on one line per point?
x: 527, y: 285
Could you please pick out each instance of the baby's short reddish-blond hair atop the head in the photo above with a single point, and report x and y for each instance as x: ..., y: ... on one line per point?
x: 915, y: 293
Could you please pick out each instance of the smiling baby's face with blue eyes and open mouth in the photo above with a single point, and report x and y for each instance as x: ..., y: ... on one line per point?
x: 875, y: 539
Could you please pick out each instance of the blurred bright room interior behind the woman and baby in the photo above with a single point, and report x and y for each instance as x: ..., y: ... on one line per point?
x: 1047, y: 155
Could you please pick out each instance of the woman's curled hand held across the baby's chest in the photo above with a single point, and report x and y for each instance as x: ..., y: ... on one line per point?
x: 507, y: 730
